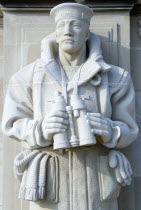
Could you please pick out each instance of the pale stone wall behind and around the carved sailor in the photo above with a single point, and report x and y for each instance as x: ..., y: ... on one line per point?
x: 121, y: 42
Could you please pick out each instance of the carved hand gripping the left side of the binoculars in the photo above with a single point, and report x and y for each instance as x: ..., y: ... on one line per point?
x: 56, y: 122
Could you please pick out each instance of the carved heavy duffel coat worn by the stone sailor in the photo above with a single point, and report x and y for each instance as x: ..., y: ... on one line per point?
x: 85, y: 179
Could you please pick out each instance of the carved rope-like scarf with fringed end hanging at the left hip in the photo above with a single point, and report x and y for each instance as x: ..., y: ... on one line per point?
x: 32, y: 168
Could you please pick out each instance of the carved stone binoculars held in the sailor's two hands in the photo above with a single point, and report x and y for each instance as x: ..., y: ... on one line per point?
x: 80, y: 133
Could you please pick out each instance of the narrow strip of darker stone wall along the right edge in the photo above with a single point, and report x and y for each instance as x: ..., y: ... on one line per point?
x: 136, y: 75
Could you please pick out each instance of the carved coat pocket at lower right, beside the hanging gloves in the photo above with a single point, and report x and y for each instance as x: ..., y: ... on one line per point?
x: 109, y: 187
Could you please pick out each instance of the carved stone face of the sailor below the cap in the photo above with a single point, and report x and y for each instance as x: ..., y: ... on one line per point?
x: 71, y: 35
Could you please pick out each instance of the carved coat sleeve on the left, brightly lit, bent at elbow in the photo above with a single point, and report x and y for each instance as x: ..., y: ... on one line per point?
x: 18, y: 122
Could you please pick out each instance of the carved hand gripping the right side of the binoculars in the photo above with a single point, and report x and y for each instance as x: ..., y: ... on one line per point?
x: 100, y: 126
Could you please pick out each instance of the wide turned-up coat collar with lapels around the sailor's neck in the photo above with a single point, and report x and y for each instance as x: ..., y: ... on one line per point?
x: 90, y: 68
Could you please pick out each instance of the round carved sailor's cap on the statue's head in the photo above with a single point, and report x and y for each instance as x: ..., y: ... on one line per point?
x: 71, y: 10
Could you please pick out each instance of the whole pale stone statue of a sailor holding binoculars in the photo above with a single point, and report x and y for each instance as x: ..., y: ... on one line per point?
x: 70, y: 100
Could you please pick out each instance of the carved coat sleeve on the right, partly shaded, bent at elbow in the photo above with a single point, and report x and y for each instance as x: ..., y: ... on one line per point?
x: 123, y: 122
